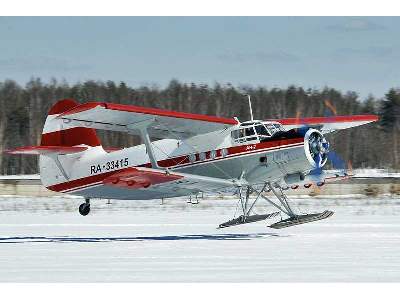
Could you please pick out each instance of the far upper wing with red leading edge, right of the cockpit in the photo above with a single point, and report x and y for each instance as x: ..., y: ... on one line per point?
x: 328, y: 124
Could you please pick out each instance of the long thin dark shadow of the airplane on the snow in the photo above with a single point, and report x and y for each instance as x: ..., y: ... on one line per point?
x: 46, y: 239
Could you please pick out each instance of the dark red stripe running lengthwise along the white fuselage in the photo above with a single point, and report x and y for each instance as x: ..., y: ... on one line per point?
x: 181, y: 161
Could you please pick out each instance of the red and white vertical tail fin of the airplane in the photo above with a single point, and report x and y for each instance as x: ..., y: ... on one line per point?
x: 58, y: 133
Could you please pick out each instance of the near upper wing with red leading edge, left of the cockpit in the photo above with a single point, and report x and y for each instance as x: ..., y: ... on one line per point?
x: 161, y: 123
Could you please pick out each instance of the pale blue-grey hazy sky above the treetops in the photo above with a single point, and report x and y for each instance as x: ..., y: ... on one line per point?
x: 357, y: 54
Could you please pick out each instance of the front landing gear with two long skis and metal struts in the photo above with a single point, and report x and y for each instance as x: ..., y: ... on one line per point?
x: 282, y: 204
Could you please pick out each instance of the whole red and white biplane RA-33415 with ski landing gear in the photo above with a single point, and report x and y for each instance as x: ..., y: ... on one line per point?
x: 193, y: 153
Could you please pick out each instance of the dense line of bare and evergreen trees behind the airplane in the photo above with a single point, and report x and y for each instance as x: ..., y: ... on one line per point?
x: 23, y: 110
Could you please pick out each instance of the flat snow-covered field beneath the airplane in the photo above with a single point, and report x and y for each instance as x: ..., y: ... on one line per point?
x: 46, y: 240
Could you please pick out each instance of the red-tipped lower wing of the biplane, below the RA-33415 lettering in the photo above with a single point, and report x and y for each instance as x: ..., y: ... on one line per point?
x: 146, y: 178
